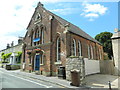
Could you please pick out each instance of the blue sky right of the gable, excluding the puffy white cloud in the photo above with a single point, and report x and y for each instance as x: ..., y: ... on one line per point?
x: 106, y: 22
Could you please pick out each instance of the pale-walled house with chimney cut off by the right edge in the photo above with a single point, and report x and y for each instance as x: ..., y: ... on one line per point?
x: 116, y: 51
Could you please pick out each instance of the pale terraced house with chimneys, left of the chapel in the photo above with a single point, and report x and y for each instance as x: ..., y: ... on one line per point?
x: 12, y: 50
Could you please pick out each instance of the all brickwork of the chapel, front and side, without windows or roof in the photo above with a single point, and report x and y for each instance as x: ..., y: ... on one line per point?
x: 54, y: 29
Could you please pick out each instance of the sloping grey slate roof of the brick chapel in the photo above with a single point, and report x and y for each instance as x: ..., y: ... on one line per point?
x: 73, y: 28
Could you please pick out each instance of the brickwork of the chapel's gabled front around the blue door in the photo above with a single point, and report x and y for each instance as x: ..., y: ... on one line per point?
x: 47, y: 39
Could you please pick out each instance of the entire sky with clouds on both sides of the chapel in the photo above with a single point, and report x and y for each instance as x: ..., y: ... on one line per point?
x: 92, y: 17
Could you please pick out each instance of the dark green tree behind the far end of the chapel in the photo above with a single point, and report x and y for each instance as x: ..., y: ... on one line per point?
x: 105, y: 39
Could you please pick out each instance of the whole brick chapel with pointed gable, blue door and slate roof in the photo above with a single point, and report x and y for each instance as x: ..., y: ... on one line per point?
x: 49, y: 40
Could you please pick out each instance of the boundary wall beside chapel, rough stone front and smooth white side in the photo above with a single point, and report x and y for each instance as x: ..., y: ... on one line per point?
x: 90, y: 66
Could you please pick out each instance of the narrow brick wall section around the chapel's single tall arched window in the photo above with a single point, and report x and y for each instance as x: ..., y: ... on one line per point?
x: 57, y: 31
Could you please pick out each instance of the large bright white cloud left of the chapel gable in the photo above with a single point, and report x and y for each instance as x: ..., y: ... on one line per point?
x: 14, y: 18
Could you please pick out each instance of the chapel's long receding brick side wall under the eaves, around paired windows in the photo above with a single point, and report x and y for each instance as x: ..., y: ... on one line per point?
x: 84, y: 43
